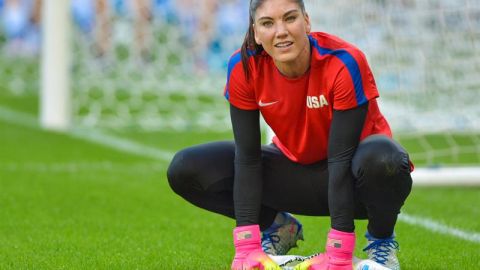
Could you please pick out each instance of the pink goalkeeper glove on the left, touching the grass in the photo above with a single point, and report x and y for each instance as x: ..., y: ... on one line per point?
x: 248, y: 250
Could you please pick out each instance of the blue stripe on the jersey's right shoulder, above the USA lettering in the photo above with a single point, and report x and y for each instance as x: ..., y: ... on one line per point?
x: 351, y: 65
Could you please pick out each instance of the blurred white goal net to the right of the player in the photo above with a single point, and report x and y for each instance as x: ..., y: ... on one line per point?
x: 426, y: 60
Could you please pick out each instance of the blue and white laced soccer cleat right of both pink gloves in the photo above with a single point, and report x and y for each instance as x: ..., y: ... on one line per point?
x: 383, y: 251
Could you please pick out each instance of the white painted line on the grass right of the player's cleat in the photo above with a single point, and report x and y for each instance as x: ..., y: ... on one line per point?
x: 434, y: 226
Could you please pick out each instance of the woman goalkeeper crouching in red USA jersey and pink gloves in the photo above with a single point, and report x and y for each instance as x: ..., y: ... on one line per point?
x: 332, y: 155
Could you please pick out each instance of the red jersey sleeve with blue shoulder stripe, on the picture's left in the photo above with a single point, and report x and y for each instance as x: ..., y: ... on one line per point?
x: 237, y: 89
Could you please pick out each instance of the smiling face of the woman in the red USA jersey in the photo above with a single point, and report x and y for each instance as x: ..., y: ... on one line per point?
x: 281, y: 28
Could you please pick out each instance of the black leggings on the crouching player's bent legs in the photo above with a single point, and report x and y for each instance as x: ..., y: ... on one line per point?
x: 203, y: 175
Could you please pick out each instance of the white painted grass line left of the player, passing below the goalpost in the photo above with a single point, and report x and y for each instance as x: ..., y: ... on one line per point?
x: 94, y: 136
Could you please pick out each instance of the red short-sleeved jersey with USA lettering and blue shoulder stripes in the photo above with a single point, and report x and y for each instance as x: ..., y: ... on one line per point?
x: 299, y: 110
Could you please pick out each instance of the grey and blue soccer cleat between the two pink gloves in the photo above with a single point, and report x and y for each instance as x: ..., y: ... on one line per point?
x: 282, y: 235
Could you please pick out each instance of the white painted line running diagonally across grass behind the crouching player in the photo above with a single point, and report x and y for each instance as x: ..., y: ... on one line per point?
x: 132, y: 147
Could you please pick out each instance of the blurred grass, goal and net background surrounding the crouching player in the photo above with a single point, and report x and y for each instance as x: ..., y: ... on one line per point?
x: 97, y: 95
